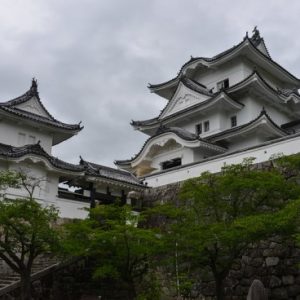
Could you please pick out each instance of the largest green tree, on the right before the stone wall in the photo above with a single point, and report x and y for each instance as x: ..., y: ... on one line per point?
x: 221, y: 214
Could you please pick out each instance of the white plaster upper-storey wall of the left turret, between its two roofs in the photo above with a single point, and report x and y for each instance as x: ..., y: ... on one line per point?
x: 12, y: 133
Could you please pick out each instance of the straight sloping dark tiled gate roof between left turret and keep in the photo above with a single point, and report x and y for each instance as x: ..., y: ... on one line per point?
x: 96, y: 170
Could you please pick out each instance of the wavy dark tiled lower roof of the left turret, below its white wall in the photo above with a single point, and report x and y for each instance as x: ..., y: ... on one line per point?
x: 8, y: 151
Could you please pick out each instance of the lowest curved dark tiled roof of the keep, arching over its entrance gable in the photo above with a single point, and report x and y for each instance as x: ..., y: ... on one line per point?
x: 182, y: 133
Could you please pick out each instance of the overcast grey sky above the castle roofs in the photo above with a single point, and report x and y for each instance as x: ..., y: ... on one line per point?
x: 94, y: 58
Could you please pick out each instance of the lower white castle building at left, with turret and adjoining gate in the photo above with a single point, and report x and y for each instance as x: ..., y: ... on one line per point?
x: 27, y: 134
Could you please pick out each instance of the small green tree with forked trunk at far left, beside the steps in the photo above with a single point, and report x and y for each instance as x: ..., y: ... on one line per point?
x: 26, y: 231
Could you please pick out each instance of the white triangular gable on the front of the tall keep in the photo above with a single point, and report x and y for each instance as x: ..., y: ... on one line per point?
x: 183, y: 98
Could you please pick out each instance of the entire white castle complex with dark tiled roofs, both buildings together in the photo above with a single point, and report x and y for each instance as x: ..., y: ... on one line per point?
x: 219, y: 110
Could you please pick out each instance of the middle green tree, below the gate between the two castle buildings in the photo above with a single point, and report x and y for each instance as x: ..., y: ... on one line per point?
x: 122, y: 251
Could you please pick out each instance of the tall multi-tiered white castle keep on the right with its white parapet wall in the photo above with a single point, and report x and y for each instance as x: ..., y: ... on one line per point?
x: 219, y: 110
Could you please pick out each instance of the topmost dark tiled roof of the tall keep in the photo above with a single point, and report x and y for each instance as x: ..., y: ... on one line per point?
x: 254, y: 41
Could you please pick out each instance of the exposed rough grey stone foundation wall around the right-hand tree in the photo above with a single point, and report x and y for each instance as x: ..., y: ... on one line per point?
x: 275, y: 262
